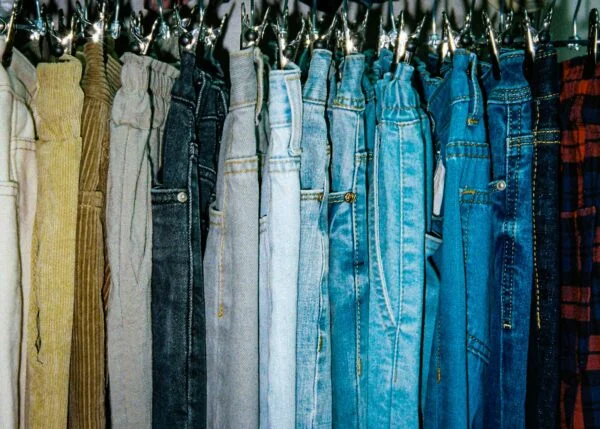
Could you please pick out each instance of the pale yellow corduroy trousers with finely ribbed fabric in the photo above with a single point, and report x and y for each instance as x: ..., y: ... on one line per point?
x: 57, y: 107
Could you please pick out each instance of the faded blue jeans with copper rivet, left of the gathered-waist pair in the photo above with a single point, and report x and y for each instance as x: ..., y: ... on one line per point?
x: 348, y: 257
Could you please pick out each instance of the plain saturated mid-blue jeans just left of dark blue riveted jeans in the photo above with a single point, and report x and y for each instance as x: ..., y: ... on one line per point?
x: 456, y: 389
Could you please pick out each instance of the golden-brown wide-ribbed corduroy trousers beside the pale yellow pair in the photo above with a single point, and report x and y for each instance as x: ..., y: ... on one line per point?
x: 87, y: 388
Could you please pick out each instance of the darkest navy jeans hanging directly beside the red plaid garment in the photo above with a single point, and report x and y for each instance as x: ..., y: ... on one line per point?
x: 543, y: 376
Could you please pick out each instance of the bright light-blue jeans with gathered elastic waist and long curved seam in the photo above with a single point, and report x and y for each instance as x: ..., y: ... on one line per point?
x: 397, y: 253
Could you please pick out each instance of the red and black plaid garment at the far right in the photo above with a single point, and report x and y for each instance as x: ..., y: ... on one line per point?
x: 580, y: 235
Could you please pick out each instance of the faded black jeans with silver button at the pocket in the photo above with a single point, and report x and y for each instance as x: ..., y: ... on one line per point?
x: 179, y: 209
